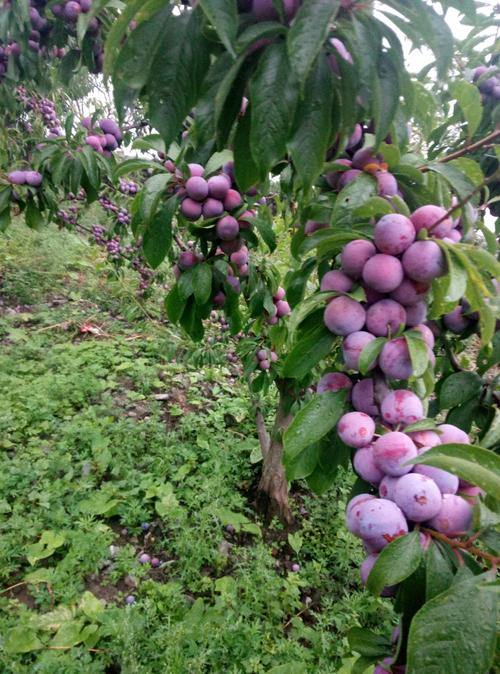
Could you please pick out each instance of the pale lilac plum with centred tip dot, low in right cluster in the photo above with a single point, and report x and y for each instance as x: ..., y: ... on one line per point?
x: 418, y: 496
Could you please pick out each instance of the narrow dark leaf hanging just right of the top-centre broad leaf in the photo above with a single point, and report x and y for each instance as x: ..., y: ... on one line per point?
x: 313, y: 121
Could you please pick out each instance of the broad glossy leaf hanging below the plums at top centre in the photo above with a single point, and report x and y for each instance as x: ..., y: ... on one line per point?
x: 273, y: 97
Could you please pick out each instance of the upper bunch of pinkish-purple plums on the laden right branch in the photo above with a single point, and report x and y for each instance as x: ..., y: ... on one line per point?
x: 395, y: 271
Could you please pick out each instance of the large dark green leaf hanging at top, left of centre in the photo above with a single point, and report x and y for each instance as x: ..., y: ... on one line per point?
x: 179, y: 68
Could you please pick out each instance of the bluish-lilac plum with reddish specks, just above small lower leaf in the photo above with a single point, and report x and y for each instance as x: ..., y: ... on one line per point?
x: 380, y: 522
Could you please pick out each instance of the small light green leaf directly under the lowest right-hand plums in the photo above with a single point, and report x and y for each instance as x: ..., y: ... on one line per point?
x: 395, y: 562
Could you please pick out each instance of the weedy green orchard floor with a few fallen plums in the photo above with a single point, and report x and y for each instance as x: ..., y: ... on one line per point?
x: 117, y: 439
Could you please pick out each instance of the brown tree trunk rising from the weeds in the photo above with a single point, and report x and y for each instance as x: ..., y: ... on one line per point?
x: 272, y: 492
